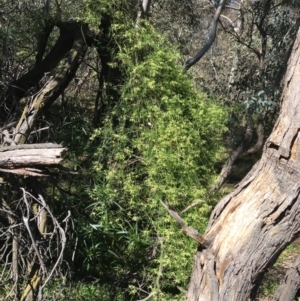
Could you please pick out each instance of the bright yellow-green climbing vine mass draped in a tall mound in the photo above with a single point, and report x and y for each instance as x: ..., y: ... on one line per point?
x: 159, y: 142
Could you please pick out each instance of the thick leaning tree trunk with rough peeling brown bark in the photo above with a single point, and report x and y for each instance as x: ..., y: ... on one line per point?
x: 250, y: 227
